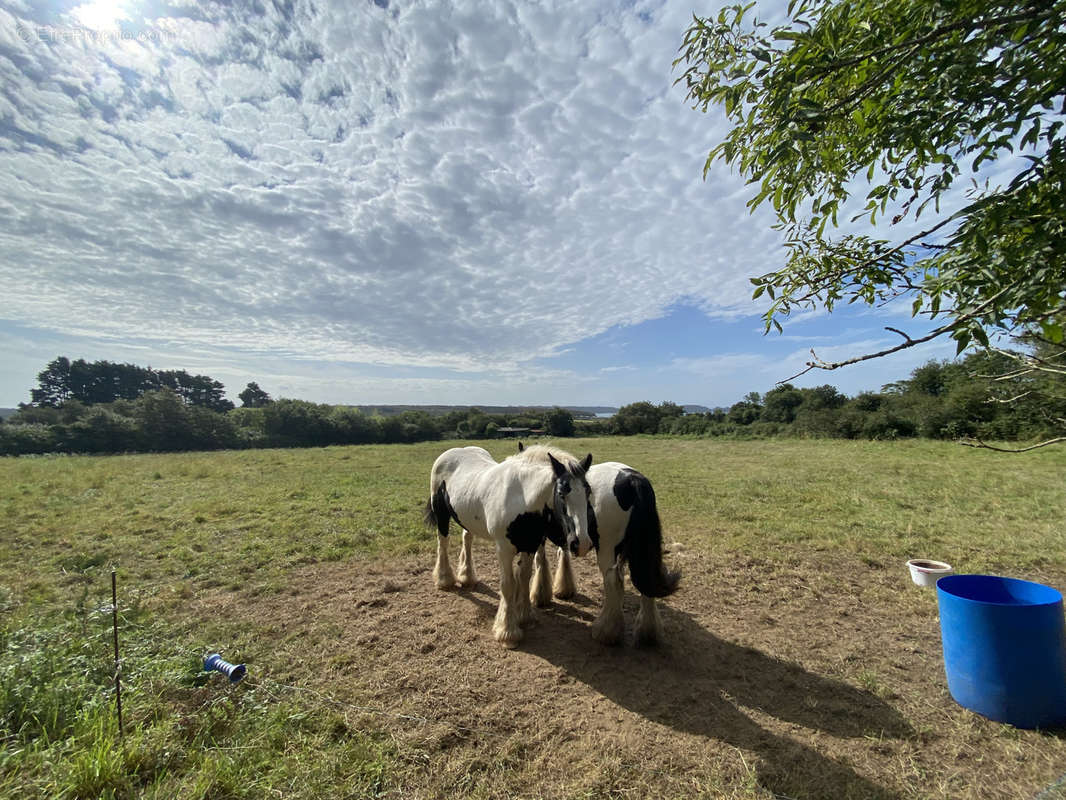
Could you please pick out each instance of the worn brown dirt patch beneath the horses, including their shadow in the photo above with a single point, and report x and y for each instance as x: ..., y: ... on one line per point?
x: 817, y: 678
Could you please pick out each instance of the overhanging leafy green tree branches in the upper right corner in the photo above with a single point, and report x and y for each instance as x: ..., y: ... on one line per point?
x: 905, y: 101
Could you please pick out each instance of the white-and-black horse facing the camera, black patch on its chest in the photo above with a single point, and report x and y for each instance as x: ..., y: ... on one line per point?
x: 516, y: 504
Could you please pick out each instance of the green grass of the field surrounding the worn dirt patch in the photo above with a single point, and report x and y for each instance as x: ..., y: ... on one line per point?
x: 174, y: 526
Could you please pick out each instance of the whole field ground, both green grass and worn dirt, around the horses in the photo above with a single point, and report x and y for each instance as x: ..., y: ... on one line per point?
x: 264, y: 556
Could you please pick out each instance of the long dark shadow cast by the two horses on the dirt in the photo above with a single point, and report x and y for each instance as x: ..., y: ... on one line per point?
x: 698, y: 683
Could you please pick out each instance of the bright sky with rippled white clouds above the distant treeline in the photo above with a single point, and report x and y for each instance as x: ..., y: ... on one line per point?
x: 391, y: 202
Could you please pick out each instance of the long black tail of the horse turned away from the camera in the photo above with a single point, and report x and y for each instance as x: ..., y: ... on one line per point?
x: 643, y: 541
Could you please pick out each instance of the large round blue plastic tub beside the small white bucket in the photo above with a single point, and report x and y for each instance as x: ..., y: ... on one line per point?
x: 1005, y: 648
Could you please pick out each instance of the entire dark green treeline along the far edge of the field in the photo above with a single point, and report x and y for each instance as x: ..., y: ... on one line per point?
x: 165, y: 411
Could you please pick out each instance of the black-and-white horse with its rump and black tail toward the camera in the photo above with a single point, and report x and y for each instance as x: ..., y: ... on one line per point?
x: 628, y: 532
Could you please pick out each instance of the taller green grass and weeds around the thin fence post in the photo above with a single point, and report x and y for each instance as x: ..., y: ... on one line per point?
x: 187, y: 734
